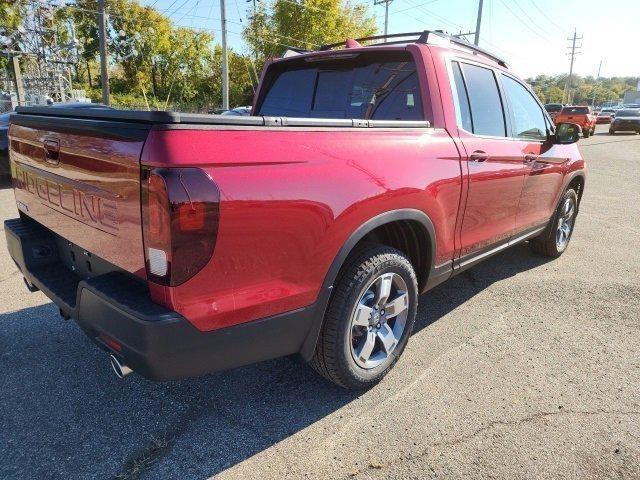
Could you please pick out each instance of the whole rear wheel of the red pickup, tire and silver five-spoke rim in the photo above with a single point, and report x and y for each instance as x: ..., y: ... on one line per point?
x: 369, y: 319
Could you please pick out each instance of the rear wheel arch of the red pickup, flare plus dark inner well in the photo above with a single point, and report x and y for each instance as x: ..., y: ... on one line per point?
x: 368, y: 230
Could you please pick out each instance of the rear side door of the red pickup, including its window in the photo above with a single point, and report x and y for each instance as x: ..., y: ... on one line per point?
x: 495, y: 163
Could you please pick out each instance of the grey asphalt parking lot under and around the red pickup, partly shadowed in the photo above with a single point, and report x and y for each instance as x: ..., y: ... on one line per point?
x: 519, y: 368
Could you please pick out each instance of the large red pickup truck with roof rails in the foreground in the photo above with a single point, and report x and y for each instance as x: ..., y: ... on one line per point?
x: 185, y: 244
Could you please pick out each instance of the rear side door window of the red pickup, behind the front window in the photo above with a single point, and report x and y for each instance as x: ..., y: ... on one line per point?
x: 484, y: 99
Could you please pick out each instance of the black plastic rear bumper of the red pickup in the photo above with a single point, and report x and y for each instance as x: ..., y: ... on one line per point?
x: 115, y: 310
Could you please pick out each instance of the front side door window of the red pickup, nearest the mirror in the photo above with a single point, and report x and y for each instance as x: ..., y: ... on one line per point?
x: 527, y: 117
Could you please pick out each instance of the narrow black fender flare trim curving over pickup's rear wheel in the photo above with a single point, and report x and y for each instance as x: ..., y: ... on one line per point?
x: 320, y: 306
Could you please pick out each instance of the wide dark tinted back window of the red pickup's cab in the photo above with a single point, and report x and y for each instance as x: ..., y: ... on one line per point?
x: 380, y: 86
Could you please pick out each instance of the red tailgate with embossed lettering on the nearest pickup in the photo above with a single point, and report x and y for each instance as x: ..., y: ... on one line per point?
x: 80, y: 178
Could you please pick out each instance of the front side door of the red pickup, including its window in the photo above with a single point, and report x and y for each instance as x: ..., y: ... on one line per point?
x: 543, y: 172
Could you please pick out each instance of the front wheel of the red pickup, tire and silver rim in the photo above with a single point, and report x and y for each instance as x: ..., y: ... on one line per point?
x: 555, y: 238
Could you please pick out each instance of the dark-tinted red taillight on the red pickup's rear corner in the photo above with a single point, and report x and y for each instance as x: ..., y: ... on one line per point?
x: 180, y: 208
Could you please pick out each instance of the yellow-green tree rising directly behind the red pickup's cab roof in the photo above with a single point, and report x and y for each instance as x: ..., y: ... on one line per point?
x: 305, y: 24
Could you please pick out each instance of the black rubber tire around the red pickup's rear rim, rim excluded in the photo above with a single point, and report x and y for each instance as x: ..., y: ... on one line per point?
x: 333, y: 358
